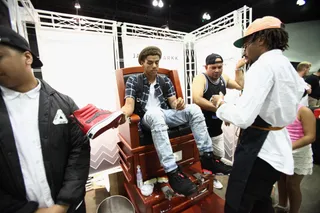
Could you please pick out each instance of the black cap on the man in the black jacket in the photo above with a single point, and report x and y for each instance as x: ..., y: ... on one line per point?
x: 10, y: 38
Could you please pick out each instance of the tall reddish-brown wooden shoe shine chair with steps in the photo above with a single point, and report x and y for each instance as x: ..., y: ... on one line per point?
x: 136, y: 148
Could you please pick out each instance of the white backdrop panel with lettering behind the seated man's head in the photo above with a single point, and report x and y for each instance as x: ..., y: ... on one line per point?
x: 172, y: 54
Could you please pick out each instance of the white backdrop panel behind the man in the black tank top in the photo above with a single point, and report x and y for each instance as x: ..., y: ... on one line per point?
x: 222, y: 43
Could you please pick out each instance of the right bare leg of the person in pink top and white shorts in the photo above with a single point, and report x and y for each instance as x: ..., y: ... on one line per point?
x: 294, y: 192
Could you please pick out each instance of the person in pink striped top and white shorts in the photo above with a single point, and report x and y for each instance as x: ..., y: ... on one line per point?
x: 302, y: 133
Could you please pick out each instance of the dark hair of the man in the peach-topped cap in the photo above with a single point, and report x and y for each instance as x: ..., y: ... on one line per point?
x: 274, y: 38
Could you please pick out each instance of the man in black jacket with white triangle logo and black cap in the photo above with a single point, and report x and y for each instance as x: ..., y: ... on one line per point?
x: 44, y: 156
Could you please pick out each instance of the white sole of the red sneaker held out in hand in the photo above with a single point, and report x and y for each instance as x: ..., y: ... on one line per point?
x: 103, y: 125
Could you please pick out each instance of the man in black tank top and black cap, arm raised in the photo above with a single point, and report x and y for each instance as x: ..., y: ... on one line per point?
x: 210, y: 83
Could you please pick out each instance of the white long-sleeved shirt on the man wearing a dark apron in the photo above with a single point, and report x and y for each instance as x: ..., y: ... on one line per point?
x: 273, y: 90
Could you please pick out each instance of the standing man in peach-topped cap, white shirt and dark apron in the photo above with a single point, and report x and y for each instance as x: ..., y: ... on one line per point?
x: 269, y: 102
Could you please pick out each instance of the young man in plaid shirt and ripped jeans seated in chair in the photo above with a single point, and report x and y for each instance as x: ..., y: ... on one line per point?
x: 160, y: 110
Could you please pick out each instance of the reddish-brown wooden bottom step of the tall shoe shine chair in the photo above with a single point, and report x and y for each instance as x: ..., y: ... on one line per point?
x: 157, y: 203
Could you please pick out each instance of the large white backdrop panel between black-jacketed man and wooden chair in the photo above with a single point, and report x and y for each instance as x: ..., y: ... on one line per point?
x: 81, y: 65
